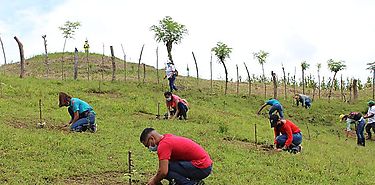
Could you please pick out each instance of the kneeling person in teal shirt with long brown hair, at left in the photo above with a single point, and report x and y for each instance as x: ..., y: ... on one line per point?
x: 81, y: 113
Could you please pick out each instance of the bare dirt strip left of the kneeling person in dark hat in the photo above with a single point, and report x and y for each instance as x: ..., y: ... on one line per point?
x: 250, y: 144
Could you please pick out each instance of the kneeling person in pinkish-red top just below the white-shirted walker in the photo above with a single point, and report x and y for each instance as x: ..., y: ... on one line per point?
x: 177, y: 107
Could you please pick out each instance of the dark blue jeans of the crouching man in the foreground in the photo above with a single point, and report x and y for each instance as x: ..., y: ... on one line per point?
x: 185, y: 173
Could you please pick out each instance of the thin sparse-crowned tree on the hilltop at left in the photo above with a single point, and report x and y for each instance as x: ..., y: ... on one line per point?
x: 68, y: 31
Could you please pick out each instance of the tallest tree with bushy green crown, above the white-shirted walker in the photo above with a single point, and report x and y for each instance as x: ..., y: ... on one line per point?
x: 169, y: 32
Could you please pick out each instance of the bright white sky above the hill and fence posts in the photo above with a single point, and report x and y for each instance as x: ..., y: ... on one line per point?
x: 290, y: 30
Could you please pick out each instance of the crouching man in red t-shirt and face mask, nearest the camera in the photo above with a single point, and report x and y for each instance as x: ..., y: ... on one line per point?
x: 181, y: 160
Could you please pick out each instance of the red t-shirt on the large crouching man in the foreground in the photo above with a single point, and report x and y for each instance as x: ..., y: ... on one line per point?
x: 175, y: 148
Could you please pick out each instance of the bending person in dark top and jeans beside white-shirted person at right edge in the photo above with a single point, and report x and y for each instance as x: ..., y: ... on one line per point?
x: 354, y: 117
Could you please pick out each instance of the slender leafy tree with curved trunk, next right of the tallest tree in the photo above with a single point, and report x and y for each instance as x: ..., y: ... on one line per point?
x: 222, y: 52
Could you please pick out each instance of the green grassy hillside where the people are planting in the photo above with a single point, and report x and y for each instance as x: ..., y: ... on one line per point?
x: 223, y: 125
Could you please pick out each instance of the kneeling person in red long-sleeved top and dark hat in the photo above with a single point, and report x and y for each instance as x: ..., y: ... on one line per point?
x: 287, y: 135
